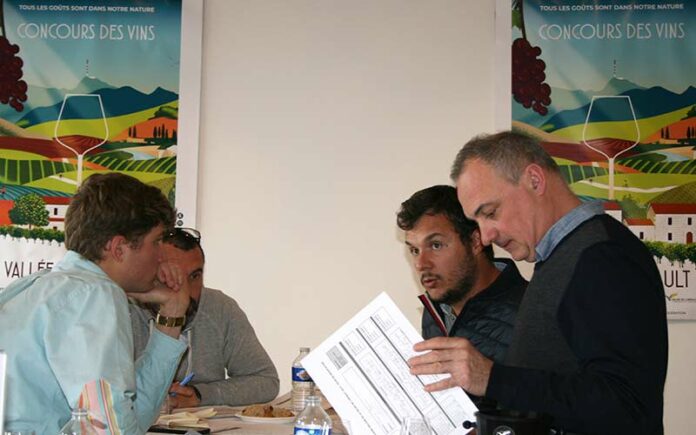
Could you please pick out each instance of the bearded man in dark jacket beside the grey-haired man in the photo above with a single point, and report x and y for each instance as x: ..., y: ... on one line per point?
x: 473, y: 295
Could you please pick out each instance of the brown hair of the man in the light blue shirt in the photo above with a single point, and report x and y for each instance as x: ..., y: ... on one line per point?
x: 112, y: 204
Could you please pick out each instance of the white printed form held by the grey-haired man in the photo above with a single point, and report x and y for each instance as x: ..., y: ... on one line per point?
x: 362, y: 371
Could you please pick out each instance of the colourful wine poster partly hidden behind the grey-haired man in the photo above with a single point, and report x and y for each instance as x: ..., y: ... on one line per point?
x: 608, y: 88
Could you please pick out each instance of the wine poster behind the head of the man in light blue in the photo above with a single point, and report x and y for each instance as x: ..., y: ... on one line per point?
x: 85, y: 88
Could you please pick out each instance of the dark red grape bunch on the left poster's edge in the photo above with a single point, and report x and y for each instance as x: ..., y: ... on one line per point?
x: 13, y: 90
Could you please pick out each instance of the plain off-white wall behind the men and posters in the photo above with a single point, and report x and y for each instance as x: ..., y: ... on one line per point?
x: 318, y: 119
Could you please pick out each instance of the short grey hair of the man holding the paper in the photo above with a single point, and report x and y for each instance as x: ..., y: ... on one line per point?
x: 508, y: 152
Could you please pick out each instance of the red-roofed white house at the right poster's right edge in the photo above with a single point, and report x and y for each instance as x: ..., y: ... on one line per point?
x: 673, y: 222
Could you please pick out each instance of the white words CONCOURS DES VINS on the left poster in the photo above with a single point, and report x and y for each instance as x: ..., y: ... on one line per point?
x: 64, y: 31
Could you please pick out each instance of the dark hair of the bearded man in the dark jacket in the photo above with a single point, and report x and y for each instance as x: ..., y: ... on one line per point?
x: 437, y: 200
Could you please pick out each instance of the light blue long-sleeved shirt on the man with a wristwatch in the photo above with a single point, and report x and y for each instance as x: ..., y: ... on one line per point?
x: 68, y: 327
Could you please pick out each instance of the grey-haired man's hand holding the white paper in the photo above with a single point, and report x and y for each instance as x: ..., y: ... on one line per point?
x: 455, y: 356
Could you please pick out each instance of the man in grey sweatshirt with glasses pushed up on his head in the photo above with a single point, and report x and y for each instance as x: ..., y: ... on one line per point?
x: 219, y: 336
